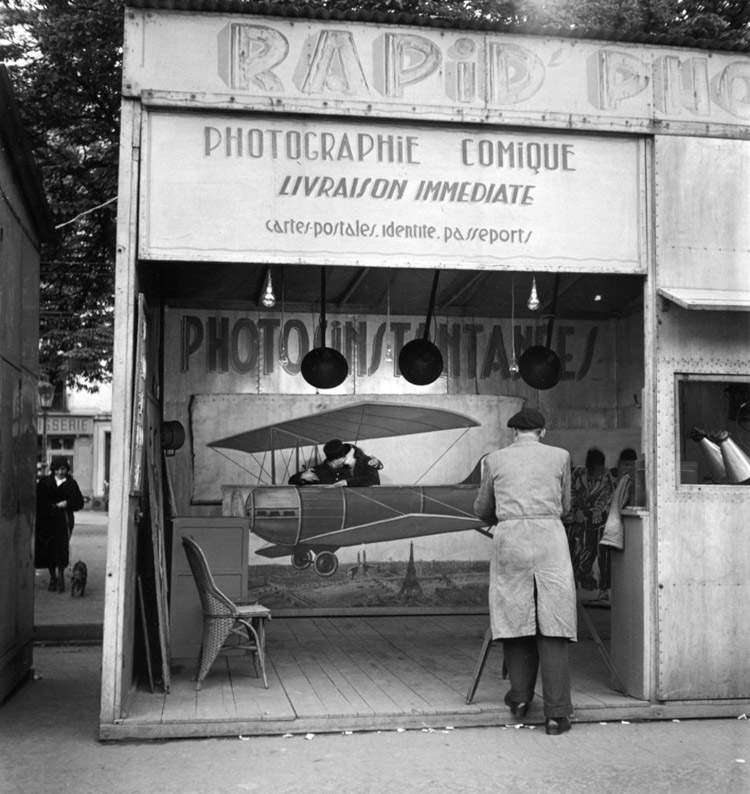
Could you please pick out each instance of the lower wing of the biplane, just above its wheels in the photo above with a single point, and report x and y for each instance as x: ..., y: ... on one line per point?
x: 407, y: 525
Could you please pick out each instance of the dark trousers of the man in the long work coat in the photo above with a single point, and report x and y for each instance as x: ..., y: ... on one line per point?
x: 523, y: 658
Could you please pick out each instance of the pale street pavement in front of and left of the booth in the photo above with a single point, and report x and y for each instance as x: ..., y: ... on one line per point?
x: 49, y: 729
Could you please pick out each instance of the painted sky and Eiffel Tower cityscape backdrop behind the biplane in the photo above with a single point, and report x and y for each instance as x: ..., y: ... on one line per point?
x: 447, y: 569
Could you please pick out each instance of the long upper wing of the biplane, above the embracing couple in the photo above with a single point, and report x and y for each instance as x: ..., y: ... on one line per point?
x: 364, y: 420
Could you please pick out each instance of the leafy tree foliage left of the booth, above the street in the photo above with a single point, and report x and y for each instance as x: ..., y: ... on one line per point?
x: 64, y: 57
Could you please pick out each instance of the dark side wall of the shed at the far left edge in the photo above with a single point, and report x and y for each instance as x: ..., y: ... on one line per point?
x: 24, y: 225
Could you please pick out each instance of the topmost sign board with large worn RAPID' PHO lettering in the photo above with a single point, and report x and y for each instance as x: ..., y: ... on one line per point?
x: 349, y: 68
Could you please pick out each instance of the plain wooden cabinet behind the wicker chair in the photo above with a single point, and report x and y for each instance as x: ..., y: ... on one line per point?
x: 225, y: 543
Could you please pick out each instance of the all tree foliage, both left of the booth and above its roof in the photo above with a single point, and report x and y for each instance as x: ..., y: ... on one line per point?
x: 65, y: 59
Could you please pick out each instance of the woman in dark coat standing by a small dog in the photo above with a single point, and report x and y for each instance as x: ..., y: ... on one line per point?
x: 57, y: 496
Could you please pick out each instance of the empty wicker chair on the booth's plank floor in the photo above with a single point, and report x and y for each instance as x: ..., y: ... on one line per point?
x: 223, y: 618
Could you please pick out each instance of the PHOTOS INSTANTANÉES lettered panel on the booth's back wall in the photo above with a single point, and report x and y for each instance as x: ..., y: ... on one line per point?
x: 217, y: 351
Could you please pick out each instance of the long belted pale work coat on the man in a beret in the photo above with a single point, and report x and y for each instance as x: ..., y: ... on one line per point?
x: 525, y: 491
